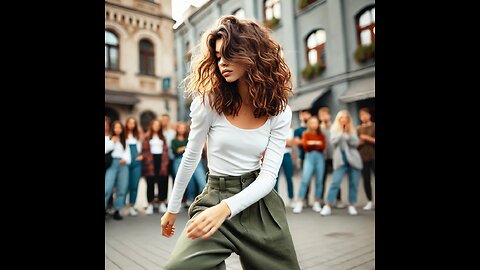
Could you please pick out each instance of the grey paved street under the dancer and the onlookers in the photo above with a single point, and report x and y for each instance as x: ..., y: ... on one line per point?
x: 338, y: 242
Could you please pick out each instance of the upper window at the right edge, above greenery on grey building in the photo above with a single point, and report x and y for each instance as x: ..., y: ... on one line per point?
x: 365, y: 21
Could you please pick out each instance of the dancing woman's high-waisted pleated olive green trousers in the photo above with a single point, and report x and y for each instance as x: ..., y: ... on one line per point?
x: 259, y: 234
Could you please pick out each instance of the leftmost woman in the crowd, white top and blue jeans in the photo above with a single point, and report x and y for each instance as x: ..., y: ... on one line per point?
x: 117, y: 173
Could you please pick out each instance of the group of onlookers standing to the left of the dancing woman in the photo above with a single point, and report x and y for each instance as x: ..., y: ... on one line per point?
x: 155, y: 154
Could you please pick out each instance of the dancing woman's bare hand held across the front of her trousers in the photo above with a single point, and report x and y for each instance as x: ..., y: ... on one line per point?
x: 207, y: 222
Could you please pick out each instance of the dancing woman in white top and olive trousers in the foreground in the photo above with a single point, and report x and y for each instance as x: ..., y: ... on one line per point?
x: 241, y: 83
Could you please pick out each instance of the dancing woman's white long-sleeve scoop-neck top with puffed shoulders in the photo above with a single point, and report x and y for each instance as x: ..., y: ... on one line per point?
x: 233, y: 151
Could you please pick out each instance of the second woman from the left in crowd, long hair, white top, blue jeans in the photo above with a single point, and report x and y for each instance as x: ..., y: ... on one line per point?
x: 135, y: 167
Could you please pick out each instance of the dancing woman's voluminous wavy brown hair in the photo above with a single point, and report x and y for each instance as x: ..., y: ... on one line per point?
x: 245, y: 42
